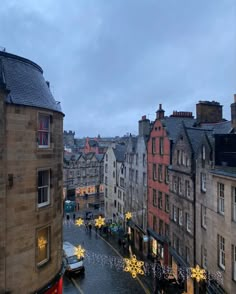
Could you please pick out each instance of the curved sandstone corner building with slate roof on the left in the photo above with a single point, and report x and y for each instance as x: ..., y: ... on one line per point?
x: 31, y: 157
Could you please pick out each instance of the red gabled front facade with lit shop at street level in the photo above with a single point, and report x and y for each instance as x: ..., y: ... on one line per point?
x: 158, y: 159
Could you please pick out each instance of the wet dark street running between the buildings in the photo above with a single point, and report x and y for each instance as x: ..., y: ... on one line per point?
x: 103, y: 266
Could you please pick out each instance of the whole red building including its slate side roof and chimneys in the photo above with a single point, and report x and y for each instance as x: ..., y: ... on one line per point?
x: 163, y: 135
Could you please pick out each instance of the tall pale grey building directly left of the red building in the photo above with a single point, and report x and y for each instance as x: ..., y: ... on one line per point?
x: 136, y: 185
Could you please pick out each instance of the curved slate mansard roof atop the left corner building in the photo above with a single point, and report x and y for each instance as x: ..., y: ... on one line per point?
x: 24, y: 79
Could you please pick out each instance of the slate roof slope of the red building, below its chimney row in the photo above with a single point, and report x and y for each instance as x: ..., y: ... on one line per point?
x: 174, y: 124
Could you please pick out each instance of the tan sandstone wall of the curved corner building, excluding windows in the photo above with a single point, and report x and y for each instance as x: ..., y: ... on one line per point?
x: 23, y: 216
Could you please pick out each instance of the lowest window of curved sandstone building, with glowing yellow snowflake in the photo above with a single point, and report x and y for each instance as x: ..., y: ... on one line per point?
x: 42, y: 246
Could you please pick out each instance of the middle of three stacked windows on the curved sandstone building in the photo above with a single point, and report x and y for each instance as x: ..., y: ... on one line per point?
x: 43, y: 188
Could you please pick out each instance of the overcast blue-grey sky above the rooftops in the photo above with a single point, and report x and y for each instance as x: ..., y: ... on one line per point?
x: 111, y: 61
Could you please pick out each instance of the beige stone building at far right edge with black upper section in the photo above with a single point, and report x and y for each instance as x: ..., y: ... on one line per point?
x: 216, y: 206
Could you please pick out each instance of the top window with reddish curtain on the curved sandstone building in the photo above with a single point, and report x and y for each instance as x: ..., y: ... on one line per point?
x: 44, y: 131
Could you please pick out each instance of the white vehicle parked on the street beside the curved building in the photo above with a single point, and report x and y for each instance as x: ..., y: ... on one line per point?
x: 73, y: 264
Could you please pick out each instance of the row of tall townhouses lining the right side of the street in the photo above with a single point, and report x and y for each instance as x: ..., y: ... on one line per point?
x: 178, y: 179
